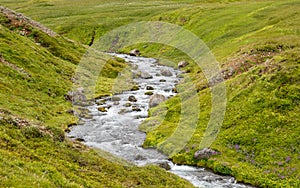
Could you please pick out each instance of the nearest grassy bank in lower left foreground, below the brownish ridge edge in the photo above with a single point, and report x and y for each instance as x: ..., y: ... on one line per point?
x: 34, y: 158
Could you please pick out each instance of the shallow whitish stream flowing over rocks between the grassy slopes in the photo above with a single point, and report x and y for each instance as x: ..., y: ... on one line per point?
x: 115, y: 128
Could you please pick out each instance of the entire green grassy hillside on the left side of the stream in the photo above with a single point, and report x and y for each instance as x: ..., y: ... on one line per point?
x: 35, y: 73
